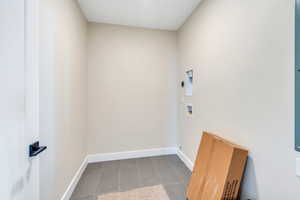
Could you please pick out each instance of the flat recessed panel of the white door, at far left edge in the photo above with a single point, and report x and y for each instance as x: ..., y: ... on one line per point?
x: 14, y: 162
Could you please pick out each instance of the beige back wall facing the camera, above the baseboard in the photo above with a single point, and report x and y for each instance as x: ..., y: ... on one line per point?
x: 132, y: 88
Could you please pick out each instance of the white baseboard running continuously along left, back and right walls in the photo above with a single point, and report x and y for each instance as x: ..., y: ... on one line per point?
x: 92, y: 158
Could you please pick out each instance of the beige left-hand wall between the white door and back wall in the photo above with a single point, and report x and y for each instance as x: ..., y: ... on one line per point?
x: 63, y: 92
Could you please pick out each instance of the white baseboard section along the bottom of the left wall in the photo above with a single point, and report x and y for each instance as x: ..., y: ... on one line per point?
x: 67, y: 195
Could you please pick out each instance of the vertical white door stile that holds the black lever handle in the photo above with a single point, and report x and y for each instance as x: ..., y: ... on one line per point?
x: 31, y: 124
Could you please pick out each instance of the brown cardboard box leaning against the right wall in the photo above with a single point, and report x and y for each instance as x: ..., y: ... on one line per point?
x: 218, y: 170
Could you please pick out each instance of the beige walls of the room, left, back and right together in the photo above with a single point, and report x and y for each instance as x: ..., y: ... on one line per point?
x: 242, y: 56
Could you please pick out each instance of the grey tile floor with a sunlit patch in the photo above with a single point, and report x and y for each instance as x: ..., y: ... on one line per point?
x: 154, y: 178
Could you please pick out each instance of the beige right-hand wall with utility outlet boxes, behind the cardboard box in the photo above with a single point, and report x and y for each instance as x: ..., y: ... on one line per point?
x: 243, y: 56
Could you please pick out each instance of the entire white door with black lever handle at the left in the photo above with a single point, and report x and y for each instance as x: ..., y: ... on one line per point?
x: 18, y: 99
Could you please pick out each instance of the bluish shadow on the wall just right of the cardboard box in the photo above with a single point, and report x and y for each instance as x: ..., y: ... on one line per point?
x: 249, y: 184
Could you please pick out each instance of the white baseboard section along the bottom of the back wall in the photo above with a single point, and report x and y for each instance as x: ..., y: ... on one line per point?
x: 130, y: 154
